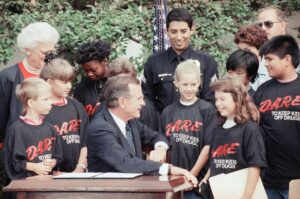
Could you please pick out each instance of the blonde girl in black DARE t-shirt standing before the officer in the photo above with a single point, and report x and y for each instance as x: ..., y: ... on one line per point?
x: 189, y: 122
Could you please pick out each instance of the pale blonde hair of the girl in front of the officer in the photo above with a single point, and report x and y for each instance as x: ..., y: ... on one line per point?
x: 189, y: 66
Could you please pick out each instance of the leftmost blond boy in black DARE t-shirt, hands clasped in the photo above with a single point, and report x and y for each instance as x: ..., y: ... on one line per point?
x: 32, y: 146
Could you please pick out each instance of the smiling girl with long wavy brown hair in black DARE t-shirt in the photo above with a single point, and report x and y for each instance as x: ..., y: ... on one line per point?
x: 237, y: 141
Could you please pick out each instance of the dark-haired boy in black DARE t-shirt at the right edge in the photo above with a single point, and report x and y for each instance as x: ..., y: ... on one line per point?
x: 278, y: 102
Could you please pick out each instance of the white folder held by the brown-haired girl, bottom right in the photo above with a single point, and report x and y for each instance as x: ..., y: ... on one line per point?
x: 232, y: 185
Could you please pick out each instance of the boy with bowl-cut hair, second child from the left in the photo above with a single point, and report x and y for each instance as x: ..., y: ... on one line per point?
x: 67, y: 115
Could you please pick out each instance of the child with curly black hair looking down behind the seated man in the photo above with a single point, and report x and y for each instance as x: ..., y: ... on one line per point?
x: 93, y: 57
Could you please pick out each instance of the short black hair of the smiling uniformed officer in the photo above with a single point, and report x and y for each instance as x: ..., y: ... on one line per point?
x: 180, y: 14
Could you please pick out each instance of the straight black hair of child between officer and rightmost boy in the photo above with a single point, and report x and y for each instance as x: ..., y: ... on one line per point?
x: 243, y: 59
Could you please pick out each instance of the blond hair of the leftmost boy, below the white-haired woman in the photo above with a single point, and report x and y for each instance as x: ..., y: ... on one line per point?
x: 31, y: 88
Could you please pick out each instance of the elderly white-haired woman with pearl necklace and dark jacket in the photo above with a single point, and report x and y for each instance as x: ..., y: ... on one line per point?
x: 36, y: 41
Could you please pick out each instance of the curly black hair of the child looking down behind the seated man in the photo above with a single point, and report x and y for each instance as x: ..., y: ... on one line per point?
x: 94, y: 50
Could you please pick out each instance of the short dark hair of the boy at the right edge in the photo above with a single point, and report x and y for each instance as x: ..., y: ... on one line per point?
x: 281, y: 46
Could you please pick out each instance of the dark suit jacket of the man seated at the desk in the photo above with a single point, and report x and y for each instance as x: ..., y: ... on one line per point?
x: 109, y: 151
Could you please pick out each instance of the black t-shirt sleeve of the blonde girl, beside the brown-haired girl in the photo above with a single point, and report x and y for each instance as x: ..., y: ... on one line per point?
x: 210, y: 121
